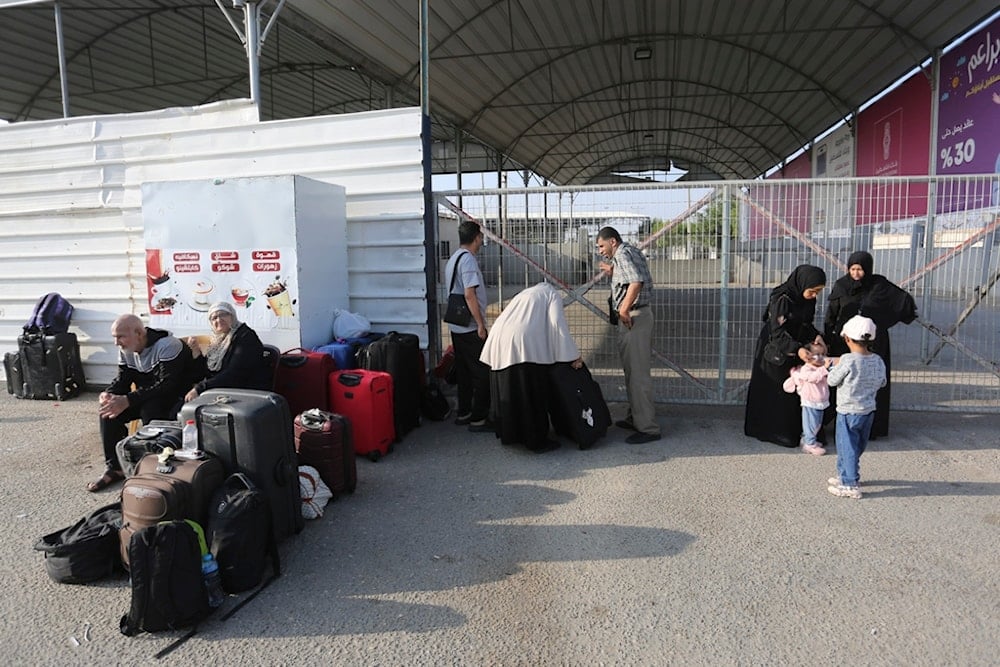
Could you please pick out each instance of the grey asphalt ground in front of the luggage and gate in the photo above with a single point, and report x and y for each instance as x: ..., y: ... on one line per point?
x: 705, y: 548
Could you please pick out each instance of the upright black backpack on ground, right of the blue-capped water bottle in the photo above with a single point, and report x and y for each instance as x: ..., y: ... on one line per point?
x: 241, y: 534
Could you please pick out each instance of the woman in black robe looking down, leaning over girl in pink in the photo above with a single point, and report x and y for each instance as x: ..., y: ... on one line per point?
x: 772, y: 414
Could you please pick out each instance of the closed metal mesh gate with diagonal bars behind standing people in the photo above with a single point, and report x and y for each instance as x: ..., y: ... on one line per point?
x: 715, y: 250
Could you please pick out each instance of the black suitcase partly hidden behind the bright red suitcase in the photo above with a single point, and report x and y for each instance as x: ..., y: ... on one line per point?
x: 398, y: 354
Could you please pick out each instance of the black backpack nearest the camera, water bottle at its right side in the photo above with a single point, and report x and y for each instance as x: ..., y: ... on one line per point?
x: 168, y: 589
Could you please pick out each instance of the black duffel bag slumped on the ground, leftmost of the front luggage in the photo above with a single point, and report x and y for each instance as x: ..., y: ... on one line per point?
x: 86, y: 551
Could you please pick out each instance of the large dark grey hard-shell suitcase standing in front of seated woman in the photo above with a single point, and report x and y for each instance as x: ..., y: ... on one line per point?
x: 251, y: 431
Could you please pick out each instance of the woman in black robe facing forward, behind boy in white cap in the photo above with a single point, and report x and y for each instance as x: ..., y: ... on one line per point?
x: 862, y: 292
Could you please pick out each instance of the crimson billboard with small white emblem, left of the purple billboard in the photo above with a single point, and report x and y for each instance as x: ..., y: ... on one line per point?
x: 894, y: 140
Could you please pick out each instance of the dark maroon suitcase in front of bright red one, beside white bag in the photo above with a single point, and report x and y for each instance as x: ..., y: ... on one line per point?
x: 323, y: 441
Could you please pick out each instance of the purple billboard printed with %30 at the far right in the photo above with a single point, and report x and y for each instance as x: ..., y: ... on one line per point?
x: 969, y: 119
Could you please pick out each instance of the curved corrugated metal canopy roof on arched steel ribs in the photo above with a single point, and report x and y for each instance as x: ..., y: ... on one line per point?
x: 575, y: 90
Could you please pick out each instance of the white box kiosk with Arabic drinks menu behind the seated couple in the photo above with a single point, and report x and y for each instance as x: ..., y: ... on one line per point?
x: 274, y: 246
